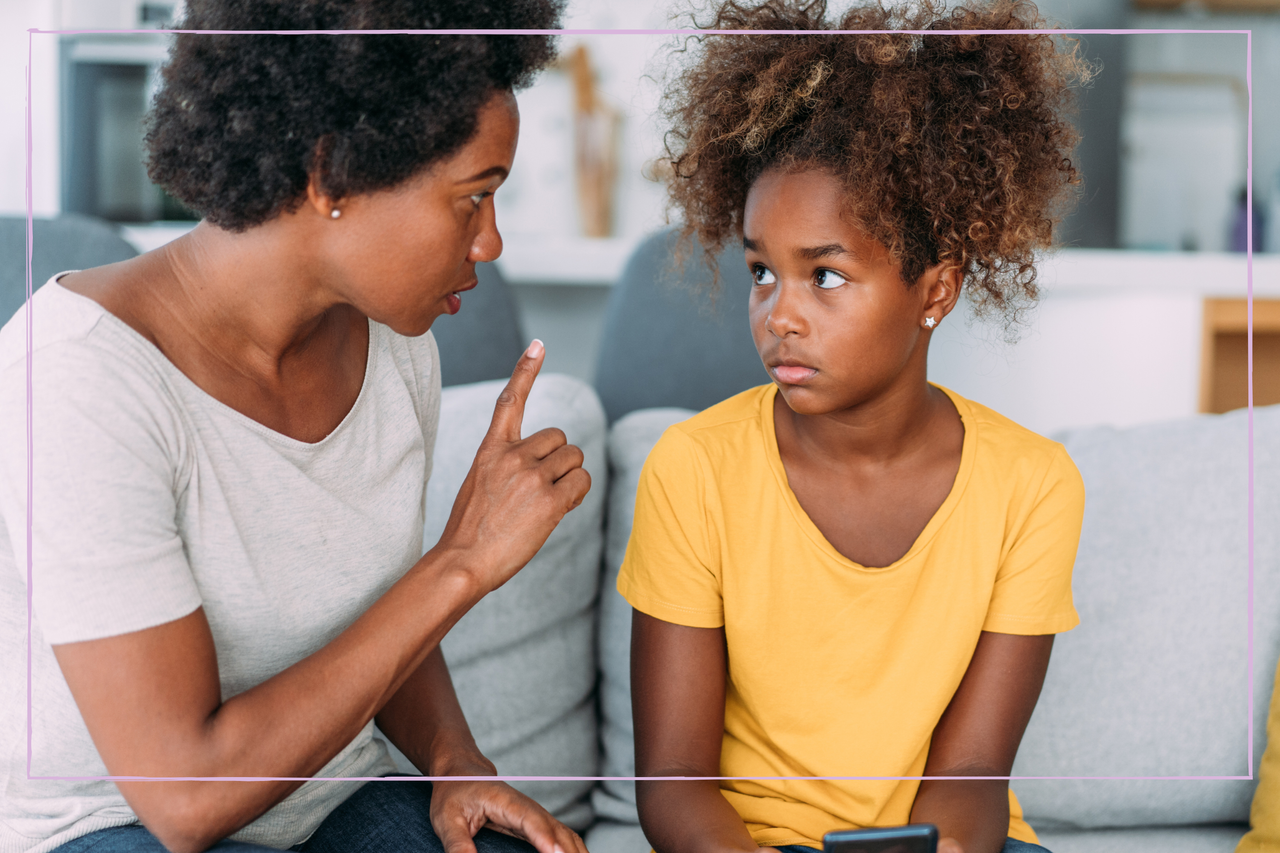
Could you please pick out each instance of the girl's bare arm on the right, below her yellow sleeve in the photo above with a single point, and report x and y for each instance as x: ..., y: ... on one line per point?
x: 979, y: 736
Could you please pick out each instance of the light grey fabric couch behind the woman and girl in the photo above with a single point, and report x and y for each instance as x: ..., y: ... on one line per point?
x: 1153, y: 683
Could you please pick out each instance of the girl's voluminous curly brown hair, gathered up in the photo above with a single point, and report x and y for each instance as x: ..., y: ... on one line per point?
x: 952, y: 148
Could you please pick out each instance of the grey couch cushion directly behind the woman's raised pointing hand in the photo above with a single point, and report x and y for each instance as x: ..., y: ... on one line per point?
x: 524, y: 659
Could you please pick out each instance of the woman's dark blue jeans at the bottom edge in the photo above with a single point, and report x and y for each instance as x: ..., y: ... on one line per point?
x: 381, y: 818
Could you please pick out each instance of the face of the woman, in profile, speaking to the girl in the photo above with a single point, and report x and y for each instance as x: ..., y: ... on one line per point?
x: 403, y: 257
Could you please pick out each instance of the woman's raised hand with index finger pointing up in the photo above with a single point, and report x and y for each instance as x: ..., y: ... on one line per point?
x: 518, y: 489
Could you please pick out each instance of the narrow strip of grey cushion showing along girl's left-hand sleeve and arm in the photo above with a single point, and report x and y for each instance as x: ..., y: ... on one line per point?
x: 630, y: 443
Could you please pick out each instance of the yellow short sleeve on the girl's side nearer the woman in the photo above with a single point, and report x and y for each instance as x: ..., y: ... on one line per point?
x: 669, y: 572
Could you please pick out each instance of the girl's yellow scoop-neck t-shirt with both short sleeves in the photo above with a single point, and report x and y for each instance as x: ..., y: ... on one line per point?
x: 836, y: 669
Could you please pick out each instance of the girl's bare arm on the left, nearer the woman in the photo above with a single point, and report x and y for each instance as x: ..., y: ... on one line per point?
x: 678, y: 703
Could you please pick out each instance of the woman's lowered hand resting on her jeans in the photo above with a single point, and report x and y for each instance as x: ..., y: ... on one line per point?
x: 463, y: 809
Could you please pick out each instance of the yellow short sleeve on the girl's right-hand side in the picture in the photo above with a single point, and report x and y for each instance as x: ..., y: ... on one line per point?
x: 1034, y: 586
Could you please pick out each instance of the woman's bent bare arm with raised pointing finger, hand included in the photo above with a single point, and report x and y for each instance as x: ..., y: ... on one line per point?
x: 152, y: 699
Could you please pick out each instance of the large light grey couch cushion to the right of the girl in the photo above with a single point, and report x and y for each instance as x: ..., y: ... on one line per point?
x: 1155, y: 681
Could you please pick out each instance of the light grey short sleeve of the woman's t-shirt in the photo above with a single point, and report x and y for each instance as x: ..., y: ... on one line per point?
x: 107, y: 555
